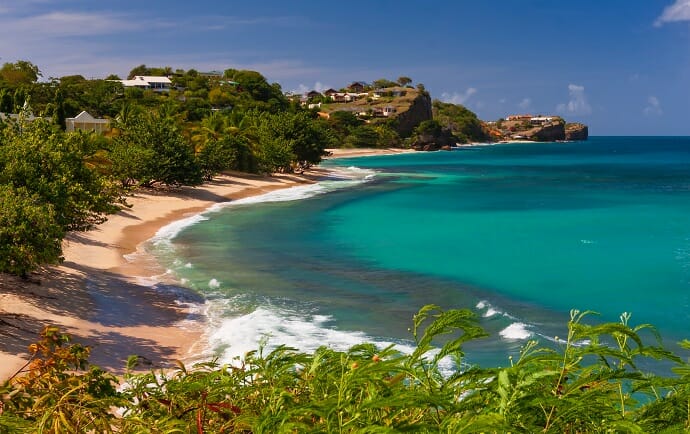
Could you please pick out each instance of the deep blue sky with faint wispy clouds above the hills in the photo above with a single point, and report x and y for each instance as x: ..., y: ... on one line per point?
x: 621, y: 66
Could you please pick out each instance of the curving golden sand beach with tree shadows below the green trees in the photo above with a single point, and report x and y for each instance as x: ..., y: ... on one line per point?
x: 117, y: 306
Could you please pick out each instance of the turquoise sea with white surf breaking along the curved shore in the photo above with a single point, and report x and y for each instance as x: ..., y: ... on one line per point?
x: 520, y: 234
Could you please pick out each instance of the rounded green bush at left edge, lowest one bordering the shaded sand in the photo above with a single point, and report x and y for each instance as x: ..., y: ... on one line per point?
x: 29, y: 233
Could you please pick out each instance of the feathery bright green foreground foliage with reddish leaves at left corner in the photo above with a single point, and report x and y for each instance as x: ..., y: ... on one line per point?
x: 590, y: 381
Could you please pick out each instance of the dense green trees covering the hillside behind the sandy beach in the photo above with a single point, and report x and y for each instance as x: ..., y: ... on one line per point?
x: 52, y: 181
